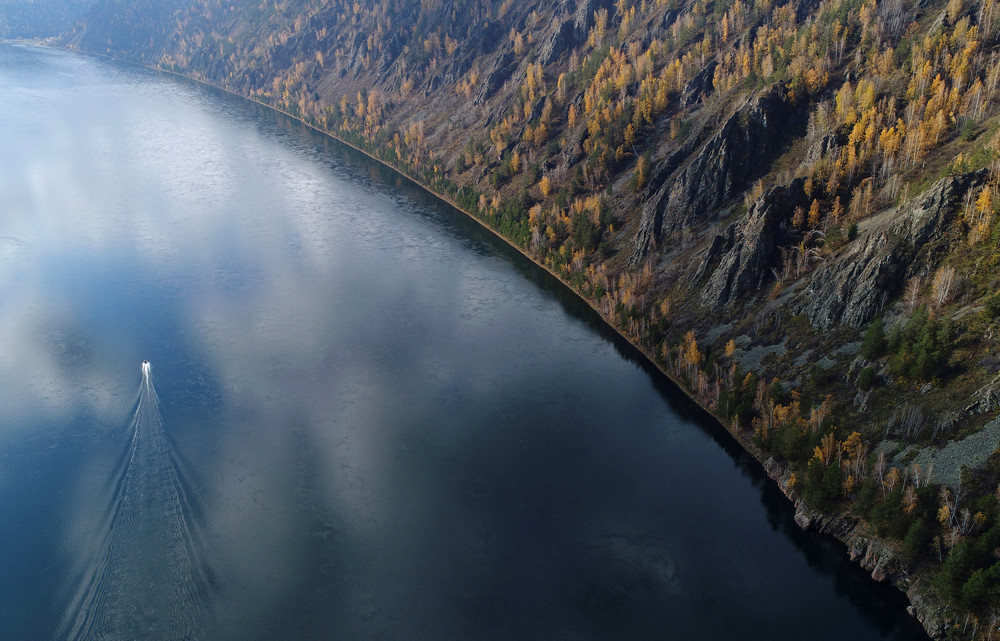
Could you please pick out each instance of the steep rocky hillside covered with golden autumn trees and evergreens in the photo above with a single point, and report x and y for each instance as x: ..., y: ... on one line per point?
x: 792, y: 208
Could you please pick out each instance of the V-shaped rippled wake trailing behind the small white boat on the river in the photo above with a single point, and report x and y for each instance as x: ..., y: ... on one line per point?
x: 145, y: 579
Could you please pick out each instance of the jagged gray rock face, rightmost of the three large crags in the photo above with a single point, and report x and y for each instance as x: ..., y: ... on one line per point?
x: 853, y: 287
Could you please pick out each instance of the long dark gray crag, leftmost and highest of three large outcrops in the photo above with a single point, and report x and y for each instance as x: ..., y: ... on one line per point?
x: 725, y: 165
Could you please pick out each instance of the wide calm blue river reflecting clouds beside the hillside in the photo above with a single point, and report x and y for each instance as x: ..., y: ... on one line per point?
x: 373, y: 420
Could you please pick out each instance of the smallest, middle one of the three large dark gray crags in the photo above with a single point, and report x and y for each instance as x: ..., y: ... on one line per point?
x: 740, y: 259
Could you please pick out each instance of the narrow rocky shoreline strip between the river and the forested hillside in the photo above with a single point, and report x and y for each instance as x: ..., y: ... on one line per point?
x: 870, y: 552
